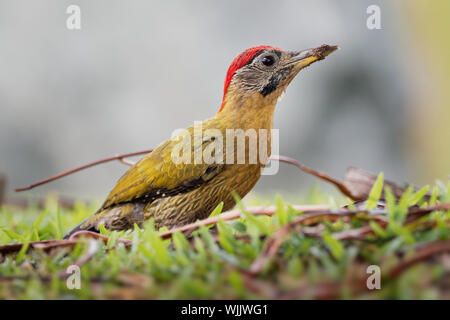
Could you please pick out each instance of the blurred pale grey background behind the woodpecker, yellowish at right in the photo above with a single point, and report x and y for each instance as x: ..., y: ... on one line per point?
x: 137, y: 70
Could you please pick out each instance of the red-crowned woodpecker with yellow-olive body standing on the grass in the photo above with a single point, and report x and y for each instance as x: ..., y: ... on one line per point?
x: 175, y: 194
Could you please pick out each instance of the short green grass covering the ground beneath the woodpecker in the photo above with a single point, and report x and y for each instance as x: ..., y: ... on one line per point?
x: 213, y: 263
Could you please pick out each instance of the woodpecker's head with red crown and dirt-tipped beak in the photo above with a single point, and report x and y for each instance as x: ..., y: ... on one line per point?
x: 262, y: 73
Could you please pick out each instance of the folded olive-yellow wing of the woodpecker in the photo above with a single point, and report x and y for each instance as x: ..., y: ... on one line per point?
x: 158, y: 175
